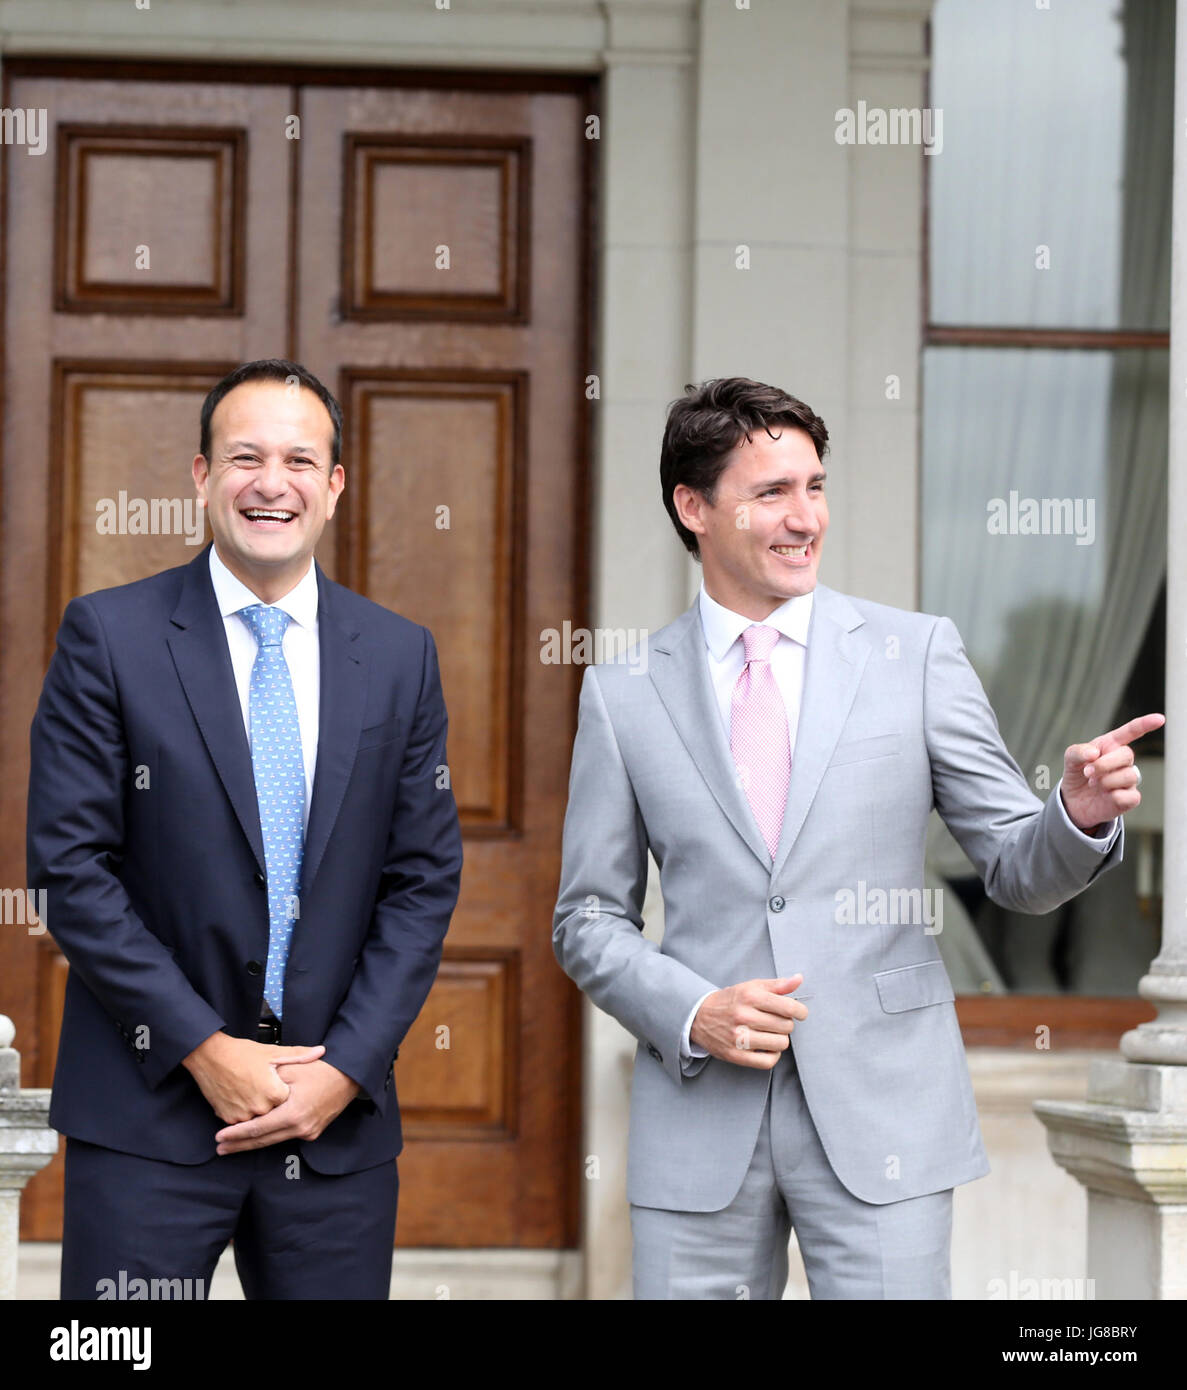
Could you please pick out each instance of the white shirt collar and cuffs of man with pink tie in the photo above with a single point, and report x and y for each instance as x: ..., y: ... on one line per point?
x: 726, y: 654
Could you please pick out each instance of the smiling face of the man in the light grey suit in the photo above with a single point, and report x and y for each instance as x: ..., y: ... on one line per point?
x: 761, y: 537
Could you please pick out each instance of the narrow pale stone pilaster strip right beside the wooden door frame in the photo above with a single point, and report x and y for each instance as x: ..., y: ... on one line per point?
x: 648, y: 169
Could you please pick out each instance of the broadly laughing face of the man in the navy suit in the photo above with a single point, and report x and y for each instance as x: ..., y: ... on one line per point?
x: 270, y: 486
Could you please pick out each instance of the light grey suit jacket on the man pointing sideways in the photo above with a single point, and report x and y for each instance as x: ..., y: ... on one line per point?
x: 893, y: 723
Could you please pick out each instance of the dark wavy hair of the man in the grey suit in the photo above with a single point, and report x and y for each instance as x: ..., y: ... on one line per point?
x: 711, y: 420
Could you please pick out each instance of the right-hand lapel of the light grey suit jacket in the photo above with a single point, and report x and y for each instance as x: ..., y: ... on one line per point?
x: 836, y: 660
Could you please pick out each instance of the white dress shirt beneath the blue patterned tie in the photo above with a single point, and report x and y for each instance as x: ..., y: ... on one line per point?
x: 300, y: 646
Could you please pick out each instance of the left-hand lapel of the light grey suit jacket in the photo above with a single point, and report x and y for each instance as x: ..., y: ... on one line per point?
x: 679, y: 669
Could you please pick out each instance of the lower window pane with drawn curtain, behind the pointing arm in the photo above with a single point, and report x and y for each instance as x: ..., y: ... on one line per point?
x: 1045, y: 540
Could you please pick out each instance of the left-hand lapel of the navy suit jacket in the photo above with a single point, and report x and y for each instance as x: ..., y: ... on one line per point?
x: 204, y: 665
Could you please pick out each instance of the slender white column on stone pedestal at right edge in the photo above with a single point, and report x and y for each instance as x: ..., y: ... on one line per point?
x: 1128, y: 1143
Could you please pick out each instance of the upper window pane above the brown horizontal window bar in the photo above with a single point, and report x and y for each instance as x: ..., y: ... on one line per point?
x: 1050, y: 201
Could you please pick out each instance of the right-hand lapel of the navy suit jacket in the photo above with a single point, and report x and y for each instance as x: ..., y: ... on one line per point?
x: 344, y: 685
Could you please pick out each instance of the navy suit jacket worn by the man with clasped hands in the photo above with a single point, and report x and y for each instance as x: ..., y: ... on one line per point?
x: 145, y: 832
